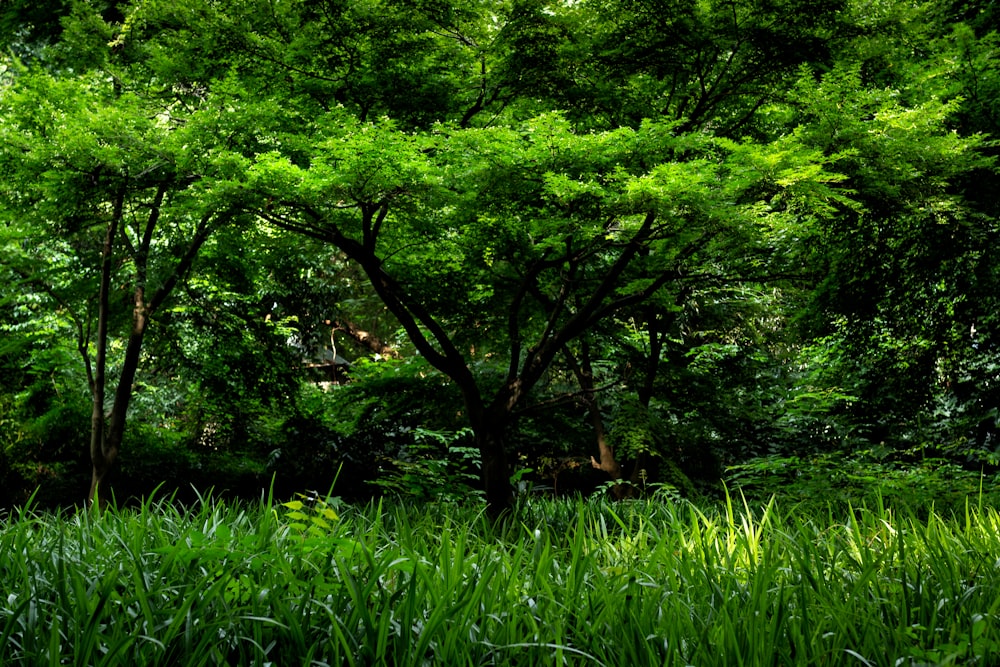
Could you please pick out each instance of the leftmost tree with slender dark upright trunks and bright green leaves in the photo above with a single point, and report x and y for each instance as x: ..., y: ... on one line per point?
x: 105, y: 195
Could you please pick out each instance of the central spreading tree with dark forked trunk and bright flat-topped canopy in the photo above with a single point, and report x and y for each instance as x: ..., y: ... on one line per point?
x: 521, y: 239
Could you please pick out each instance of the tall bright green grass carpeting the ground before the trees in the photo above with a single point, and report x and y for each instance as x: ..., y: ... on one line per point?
x: 565, y: 583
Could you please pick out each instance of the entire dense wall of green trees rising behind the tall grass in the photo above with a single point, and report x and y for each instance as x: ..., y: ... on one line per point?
x: 464, y: 247
